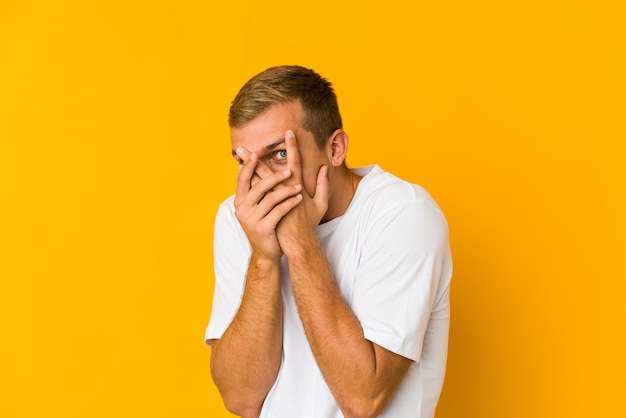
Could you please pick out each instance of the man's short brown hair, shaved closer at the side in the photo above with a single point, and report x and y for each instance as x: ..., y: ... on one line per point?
x: 283, y: 84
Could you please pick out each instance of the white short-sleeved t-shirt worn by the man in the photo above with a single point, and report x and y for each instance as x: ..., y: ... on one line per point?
x: 391, y: 258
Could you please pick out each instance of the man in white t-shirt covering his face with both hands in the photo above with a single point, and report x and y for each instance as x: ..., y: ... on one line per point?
x: 332, y: 284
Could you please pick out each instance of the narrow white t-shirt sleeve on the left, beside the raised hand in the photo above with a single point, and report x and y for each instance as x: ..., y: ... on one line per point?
x: 231, y: 253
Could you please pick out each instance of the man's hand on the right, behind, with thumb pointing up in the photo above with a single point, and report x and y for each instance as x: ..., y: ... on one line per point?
x: 298, y: 225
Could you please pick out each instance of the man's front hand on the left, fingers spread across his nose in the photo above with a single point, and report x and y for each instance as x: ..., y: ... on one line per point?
x: 260, y: 204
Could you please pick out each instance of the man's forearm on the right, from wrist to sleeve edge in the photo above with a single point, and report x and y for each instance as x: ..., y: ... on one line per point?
x: 361, y: 380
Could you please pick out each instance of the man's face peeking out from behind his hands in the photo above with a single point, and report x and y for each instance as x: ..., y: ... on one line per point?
x: 265, y: 136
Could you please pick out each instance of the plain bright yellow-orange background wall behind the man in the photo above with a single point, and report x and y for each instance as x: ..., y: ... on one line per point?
x: 114, y: 155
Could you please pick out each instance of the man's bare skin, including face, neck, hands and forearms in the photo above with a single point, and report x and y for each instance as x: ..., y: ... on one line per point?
x: 280, y: 199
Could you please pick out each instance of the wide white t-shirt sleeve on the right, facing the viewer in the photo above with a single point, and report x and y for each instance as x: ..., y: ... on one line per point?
x: 405, y: 268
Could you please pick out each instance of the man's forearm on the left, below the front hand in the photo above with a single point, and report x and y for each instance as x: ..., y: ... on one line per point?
x: 246, y: 359
